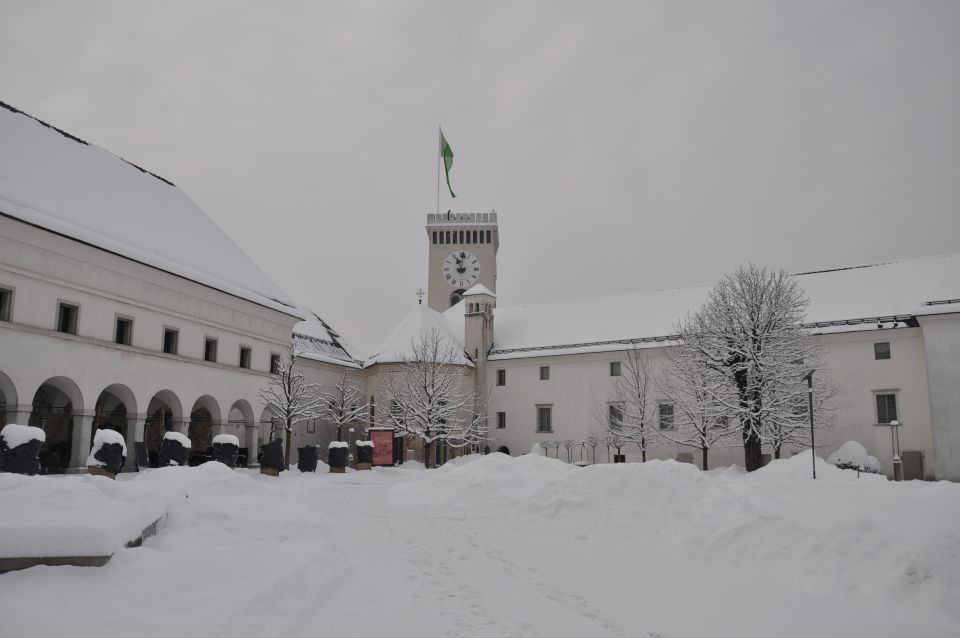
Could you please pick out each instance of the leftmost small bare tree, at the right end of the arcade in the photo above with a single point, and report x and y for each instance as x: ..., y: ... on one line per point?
x: 289, y: 398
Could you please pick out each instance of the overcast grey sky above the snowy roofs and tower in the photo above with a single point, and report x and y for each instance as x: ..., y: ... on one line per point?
x: 625, y: 145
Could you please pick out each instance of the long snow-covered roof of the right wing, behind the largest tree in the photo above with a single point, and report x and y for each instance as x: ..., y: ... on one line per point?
x: 861, y: 295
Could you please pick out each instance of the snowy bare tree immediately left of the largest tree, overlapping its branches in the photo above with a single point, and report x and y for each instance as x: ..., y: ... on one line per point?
x: 700, y: 421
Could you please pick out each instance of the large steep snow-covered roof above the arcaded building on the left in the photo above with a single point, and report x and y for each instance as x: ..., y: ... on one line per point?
x: 59, y: 182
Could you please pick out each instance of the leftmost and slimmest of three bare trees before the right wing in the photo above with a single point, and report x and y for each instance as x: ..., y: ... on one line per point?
x: 627, y: 417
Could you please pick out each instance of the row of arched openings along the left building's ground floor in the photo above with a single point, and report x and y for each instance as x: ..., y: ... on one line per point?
x: 57, y: 406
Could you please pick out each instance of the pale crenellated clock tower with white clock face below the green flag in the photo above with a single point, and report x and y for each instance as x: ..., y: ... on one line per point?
x: 463, y: 252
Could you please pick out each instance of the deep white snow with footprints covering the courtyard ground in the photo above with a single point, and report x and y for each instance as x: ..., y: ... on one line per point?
x: 530, y: 546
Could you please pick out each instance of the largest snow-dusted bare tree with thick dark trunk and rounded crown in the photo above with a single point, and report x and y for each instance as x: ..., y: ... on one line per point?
x: 749, y: 336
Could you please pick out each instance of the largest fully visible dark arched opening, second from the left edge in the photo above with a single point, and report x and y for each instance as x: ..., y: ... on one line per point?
x: 54, y: 405
